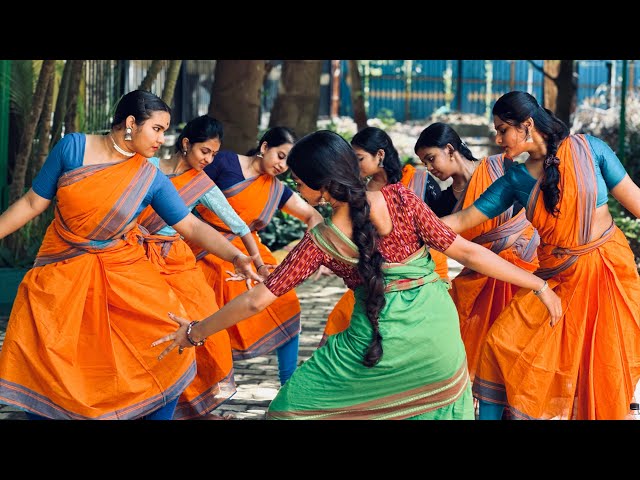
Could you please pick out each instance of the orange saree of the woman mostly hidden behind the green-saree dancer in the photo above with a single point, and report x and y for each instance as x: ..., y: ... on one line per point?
x: 339, y: 318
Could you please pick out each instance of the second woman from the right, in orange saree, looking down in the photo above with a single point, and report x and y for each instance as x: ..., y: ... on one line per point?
x: 479, y: 299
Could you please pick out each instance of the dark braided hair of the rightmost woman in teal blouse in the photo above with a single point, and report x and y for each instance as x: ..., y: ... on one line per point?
x: 514, y: 108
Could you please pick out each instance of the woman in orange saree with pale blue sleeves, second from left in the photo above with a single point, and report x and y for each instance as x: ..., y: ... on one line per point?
x: 198, y: 143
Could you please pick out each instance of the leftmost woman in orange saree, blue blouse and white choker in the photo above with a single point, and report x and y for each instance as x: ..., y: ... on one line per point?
x: 77, y: 341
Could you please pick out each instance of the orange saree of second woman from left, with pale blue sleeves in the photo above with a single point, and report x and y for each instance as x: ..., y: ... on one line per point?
x: 214, y: 382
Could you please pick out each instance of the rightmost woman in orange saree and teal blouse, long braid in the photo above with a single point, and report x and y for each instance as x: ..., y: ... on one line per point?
x: 587, y: 365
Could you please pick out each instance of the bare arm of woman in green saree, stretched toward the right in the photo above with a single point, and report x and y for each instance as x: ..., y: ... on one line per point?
x: 484, y: 261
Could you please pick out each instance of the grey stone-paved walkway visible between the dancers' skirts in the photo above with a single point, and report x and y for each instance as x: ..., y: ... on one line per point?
x: 257, y: 378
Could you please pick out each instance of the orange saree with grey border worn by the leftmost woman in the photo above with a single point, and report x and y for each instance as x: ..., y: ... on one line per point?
x: 78, y: 342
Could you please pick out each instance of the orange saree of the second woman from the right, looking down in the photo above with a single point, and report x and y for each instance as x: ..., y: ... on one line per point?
x: 478, y: 298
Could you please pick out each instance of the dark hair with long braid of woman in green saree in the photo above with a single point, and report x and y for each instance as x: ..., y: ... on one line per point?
x: 324, y: 159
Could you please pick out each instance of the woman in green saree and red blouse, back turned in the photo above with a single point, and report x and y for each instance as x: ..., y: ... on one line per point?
x: 402, y: 356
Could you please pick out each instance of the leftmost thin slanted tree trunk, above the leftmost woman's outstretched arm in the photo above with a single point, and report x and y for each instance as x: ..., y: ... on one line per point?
x: 26, y: 141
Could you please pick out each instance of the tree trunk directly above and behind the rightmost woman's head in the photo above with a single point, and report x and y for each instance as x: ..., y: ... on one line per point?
x: 560, y: 88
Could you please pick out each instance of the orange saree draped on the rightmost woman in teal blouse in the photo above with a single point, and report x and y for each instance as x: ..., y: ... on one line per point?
x: 588, y: 365
